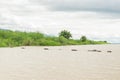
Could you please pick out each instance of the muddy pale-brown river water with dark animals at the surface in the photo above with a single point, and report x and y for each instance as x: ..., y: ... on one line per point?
x: 60, y: 63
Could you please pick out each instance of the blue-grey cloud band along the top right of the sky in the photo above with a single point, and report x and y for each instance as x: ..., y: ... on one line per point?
x: 81, y: 5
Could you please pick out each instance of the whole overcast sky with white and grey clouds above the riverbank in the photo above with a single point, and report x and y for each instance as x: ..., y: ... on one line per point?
x: 97, y: 19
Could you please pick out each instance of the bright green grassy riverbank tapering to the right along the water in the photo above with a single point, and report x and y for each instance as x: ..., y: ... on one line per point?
x: 10, y: 38
